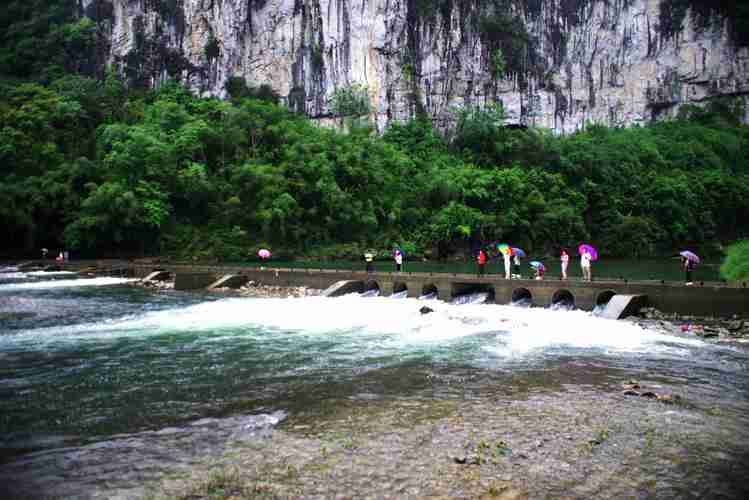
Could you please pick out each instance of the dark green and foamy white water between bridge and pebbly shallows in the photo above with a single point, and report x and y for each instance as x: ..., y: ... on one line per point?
x: 84, y: 362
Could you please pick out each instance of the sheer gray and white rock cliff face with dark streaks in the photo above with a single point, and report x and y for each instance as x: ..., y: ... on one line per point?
x: 566, y: 62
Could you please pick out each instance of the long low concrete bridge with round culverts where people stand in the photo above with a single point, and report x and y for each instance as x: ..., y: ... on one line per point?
x: 708, y: 299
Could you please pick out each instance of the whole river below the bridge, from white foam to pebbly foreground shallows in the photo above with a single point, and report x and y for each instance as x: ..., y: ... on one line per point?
x: 107, y: 388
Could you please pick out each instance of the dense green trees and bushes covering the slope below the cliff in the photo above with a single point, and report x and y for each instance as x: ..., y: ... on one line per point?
x: 105, y: 168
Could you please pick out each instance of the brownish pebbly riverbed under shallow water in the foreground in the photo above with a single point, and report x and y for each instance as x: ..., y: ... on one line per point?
x: 568, y: 441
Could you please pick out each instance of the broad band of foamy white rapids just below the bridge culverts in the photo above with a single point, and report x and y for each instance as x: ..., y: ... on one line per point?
x: 391, y: 325
